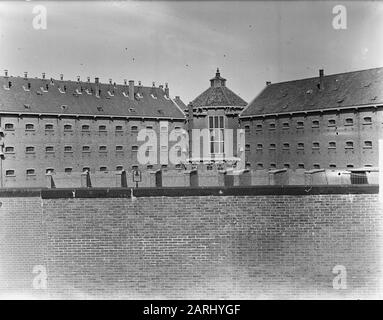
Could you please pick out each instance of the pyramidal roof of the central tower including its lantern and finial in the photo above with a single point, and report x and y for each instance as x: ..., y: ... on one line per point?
x: 218, y: 95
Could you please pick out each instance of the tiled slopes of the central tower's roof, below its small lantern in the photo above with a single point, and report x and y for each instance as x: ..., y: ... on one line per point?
x: 218, y: 96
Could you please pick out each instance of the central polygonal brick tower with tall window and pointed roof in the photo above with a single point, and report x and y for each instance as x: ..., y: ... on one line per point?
x: 218, y: 107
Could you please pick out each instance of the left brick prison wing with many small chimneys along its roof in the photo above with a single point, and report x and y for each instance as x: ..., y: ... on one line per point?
x: 72, y: 126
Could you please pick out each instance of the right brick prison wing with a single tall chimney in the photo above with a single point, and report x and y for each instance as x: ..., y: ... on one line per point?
x: 329, y: 121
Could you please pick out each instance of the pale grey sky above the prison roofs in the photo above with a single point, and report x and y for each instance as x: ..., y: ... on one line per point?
x: 184, y: 42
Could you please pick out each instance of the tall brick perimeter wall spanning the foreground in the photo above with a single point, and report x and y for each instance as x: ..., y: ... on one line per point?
x: 265, y: 245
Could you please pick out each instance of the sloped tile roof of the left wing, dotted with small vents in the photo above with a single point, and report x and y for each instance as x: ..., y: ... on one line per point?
x: 17, y: 99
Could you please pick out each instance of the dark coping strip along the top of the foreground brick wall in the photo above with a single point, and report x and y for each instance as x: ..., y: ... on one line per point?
x: 70, y: 193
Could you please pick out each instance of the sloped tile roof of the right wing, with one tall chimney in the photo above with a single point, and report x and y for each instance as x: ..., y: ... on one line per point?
x: 357, y: 88
